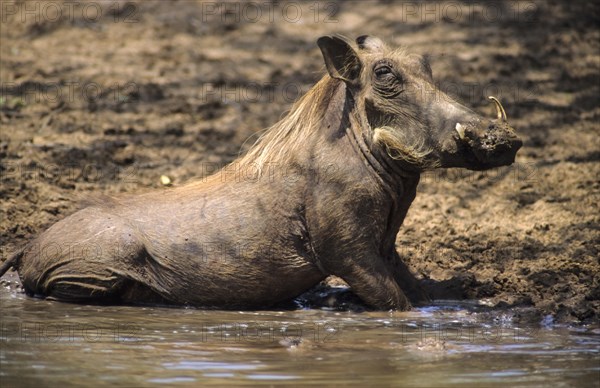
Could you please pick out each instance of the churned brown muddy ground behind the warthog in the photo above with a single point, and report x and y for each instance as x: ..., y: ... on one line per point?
x: 106, y: 97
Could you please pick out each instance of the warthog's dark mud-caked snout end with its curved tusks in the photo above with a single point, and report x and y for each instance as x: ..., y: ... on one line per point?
x: 489, y: 145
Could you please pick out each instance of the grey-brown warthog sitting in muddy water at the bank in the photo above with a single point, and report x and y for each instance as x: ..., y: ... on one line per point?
x: 330, y: 186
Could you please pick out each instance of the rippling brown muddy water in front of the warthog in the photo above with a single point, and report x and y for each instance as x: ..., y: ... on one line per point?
x: 46, y: 343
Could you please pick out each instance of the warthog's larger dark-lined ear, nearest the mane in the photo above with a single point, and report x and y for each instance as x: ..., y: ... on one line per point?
x: 340, y: 58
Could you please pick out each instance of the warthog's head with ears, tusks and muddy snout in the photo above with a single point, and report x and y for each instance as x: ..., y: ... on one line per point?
x: 411, y: 120
